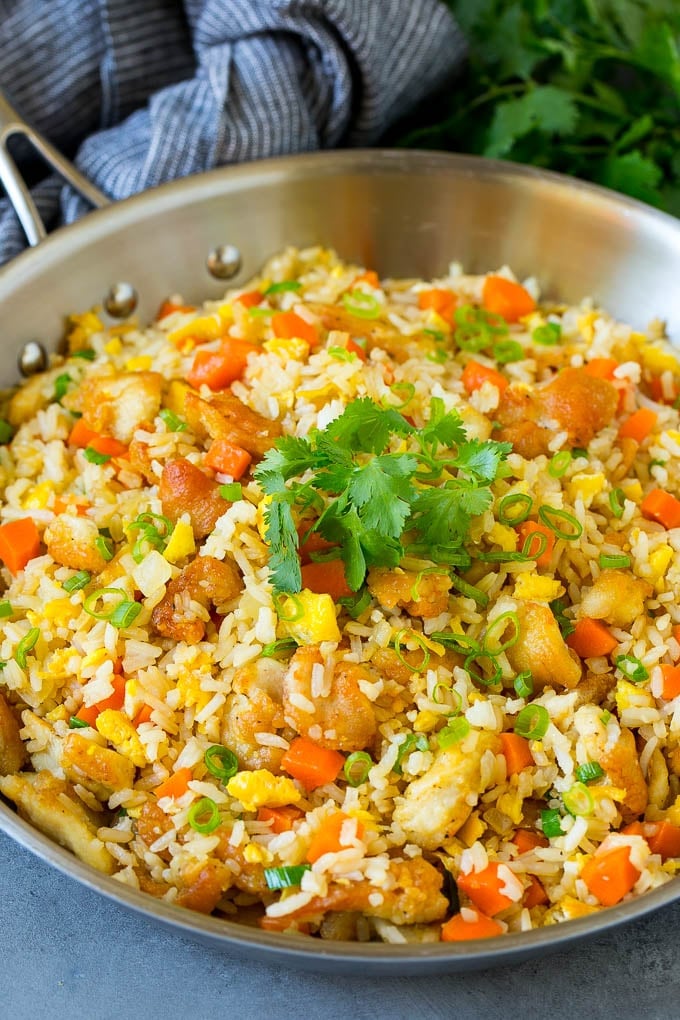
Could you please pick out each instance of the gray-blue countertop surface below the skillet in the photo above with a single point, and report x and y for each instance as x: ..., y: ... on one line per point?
x: 67, y: 952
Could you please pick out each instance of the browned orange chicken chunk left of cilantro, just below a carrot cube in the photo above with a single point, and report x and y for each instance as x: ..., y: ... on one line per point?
x: 185, y: 489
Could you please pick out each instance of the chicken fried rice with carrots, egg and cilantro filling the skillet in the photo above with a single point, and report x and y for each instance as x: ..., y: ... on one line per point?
x: 413, y: 740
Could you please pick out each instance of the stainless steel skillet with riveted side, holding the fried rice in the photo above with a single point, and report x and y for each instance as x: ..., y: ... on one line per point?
x: 403, y: 214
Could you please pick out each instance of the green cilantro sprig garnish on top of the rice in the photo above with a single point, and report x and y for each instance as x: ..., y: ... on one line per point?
x: 378, y: 485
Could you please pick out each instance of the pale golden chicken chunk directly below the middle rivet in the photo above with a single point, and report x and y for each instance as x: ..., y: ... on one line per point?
x: 115, y: 405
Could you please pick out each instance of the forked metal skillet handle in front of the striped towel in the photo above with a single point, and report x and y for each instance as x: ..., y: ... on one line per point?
x: 18, y: 192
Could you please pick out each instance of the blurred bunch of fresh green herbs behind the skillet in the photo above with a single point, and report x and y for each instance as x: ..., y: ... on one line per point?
x: 591, y: 88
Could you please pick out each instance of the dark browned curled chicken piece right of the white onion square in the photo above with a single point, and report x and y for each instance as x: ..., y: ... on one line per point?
x: 206, y: 581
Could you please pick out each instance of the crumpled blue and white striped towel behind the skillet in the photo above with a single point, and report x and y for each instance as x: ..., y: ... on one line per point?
x: 140, y: 92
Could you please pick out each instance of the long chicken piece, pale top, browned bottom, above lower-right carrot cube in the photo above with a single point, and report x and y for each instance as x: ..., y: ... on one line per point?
x: 618, y: 758
